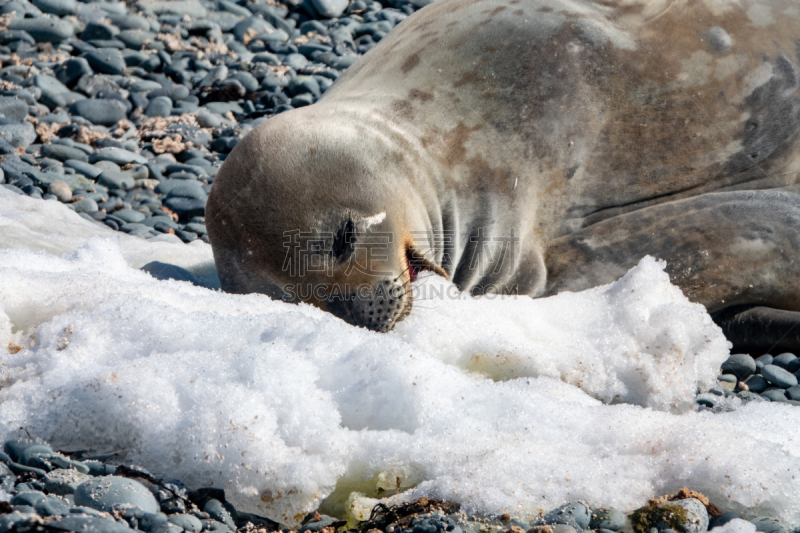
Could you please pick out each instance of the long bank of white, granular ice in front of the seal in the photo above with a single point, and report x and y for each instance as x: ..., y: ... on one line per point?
x: 505, y: 406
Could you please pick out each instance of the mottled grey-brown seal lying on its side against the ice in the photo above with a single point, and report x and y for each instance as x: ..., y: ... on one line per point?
x: 532, y: 146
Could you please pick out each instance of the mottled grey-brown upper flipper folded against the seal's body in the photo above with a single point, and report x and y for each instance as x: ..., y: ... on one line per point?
x: 722, y: 249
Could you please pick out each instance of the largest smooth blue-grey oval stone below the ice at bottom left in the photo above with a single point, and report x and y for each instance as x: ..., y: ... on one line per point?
x: 106, y: 492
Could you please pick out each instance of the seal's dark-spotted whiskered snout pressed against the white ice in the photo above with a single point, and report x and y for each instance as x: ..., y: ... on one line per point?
x: 378, y: 308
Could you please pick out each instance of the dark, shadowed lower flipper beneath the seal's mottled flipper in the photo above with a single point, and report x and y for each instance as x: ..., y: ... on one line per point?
x: 760, y: 330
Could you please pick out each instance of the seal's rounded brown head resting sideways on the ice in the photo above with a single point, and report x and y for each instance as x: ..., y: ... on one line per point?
x: 312, y: 208
